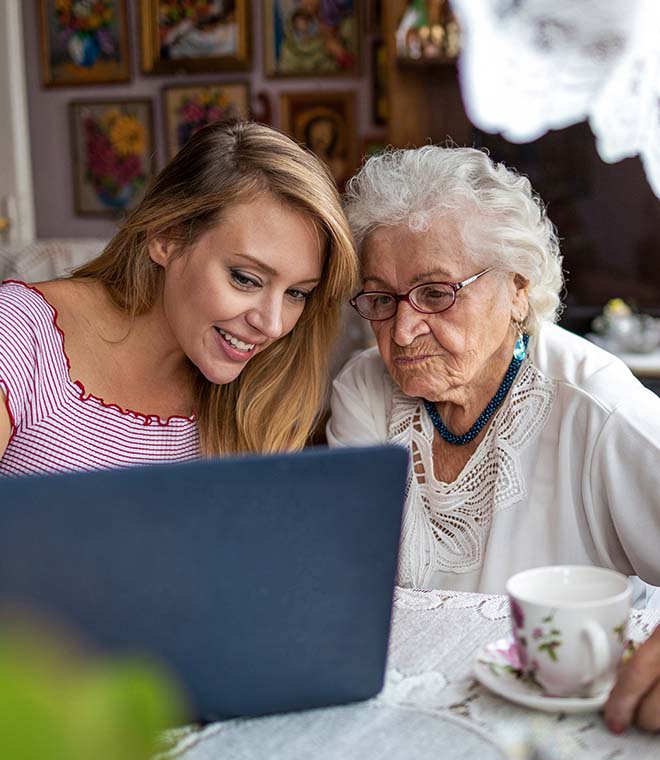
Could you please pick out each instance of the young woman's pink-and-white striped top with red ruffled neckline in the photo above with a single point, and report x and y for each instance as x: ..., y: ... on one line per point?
x: 56, y: 426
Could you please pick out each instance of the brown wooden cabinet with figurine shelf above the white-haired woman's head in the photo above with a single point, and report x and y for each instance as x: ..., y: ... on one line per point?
x: 424, y: 97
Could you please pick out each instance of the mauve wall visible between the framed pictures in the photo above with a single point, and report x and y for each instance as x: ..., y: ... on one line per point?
x: 49, y: 123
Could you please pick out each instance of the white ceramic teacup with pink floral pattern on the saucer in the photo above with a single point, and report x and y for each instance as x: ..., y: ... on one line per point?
x: 569, y: 623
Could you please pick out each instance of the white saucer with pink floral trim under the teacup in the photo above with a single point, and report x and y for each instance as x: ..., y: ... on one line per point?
x: 497, y: 668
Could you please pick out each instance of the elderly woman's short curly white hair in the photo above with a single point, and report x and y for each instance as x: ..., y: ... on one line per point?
x: 503, y: 223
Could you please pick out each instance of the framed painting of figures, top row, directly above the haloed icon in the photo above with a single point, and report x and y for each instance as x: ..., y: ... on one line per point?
x: 311, y: 39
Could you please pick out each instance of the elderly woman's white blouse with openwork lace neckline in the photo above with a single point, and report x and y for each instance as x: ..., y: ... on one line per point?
x: 567, y: 473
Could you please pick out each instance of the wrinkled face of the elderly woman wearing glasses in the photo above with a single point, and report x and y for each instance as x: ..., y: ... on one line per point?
x: 439, y: 356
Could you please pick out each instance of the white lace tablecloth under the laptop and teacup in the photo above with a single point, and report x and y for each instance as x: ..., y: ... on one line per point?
x: 431, y: 706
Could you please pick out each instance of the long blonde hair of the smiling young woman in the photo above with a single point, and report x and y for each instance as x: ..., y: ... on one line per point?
x: 275, y: 402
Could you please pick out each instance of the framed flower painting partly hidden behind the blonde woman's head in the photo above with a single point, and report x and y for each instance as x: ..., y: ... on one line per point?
x: 189, y: 108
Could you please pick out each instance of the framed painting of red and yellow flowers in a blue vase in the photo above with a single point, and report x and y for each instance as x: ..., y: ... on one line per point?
x: 112, y: 146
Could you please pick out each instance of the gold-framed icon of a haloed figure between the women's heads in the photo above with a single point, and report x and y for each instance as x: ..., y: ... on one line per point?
x: 325, y: 123
